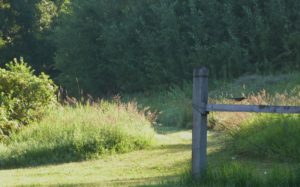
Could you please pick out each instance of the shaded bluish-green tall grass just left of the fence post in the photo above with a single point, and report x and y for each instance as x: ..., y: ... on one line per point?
x: 172, y: 106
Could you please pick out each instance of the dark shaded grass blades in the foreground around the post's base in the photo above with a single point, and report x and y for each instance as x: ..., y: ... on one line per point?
x: 237, y: 174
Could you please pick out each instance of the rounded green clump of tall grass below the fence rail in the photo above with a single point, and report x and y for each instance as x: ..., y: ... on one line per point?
x: 274, y: 137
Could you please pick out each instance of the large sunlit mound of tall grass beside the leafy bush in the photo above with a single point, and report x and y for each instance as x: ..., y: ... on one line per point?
x: 77, y: 133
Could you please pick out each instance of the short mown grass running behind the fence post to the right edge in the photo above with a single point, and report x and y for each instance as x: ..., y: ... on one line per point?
x: 160, y: 165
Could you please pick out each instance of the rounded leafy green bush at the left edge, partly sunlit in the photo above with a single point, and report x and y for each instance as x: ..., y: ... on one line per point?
x: 24, y: 97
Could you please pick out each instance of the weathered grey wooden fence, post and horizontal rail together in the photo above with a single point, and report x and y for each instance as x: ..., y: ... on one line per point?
x: 201, y: 109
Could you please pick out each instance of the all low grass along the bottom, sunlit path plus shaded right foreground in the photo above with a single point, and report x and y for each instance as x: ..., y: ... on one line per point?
x: 165, y: 164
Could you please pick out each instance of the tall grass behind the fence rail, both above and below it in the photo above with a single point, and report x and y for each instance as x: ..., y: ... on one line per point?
x: 266, y: 136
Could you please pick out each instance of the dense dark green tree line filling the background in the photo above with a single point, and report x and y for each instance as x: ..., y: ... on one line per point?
x: 110, y: 46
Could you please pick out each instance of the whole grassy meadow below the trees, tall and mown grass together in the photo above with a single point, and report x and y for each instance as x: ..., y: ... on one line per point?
x: 145, y: 140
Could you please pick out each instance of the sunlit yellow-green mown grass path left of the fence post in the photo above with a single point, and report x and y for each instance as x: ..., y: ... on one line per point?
x: 168, y: 158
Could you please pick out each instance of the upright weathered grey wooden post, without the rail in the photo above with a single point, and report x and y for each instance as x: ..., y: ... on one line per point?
x: 200, y: 100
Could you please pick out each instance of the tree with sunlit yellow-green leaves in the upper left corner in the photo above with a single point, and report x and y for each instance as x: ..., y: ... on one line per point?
x: 25, y: 29
